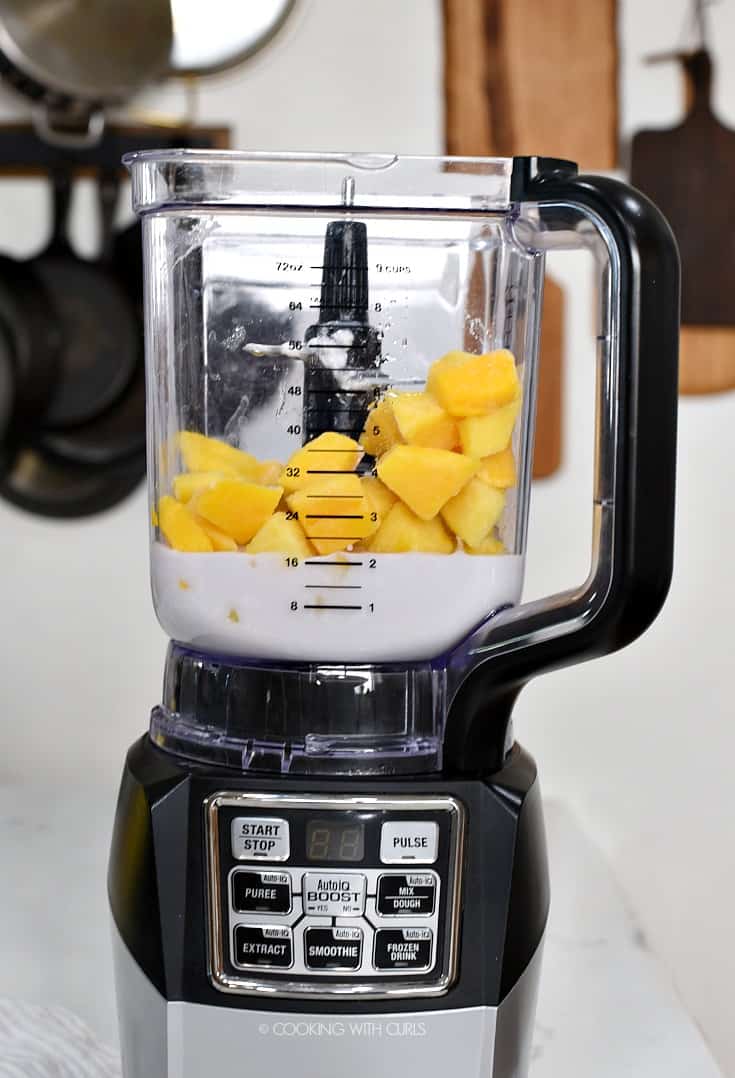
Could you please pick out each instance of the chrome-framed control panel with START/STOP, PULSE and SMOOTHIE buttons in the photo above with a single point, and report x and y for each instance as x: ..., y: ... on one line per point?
x: 342, y: 895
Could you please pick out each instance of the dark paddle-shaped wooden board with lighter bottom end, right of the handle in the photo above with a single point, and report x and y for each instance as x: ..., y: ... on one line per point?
x: 689, y: 172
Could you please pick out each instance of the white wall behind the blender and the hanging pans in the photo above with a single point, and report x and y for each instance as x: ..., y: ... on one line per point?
x: 641, y: 744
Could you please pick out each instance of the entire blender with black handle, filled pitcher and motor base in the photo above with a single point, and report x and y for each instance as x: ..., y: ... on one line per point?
x: 329, y: 852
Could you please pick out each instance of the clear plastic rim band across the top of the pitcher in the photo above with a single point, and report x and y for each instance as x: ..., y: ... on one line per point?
x: 169, y: 179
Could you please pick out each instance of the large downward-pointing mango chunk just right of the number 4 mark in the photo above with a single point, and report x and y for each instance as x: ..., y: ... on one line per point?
x: 425, y: 479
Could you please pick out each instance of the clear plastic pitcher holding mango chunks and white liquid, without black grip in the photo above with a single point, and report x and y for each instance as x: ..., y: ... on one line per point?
x: 342, y: 356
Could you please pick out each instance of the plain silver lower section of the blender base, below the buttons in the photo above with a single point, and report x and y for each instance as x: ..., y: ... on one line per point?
x: 162, y: 1040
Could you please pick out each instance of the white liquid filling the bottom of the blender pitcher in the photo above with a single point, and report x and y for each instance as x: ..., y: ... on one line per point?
x: 363, y: 607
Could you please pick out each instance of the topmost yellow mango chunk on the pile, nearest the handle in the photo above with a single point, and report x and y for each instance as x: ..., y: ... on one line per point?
x: 473, y: 385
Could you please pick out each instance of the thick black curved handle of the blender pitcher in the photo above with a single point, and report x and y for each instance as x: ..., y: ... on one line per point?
x: 625, y: 593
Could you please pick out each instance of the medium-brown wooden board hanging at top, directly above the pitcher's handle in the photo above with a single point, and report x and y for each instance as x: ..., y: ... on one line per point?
x: 533, y: 77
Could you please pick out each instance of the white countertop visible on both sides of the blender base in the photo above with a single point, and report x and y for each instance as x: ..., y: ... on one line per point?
x: 607, y: 1008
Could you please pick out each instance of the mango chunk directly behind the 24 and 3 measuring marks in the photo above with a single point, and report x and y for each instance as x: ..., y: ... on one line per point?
x: 335, y: 513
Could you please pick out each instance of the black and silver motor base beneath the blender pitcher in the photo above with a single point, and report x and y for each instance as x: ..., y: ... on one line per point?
x: 179, y: 1019
